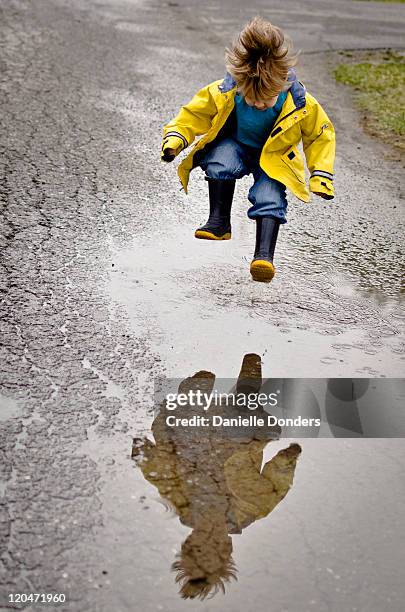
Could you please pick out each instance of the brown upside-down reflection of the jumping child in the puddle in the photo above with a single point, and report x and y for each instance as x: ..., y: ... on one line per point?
x: 214, y: 483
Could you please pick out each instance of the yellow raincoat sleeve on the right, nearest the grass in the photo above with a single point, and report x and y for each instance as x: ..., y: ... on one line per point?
x: 318, y: 137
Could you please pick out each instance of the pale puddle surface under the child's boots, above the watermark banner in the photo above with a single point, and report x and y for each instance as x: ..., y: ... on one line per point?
x: 197, y: 304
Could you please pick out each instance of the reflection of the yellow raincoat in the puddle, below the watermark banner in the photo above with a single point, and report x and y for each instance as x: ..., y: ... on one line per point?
x: 229, y: 482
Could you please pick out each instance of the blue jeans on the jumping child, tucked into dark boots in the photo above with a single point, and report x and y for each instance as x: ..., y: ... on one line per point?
x: 229, y: 159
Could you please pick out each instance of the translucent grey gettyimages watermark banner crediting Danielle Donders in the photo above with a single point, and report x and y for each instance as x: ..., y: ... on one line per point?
x: 339, y: 407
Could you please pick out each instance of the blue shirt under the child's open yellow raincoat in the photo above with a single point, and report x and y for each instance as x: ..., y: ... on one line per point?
x: 253, y: 126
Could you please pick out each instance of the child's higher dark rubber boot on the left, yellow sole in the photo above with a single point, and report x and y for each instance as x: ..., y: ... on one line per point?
x: 218, y: 226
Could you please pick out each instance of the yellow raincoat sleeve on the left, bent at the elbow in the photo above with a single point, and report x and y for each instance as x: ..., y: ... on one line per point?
x: 194, y: 118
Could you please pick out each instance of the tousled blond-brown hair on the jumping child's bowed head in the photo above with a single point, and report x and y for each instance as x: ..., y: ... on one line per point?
x: 259, y: 60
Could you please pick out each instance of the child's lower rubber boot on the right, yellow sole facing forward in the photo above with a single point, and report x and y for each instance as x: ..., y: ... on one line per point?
x: 262, y: 268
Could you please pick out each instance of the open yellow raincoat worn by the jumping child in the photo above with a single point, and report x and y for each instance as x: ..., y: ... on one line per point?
x: 301, y: 118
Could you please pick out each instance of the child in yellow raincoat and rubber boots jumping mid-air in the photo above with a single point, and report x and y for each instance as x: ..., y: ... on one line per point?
x: 252, y: 122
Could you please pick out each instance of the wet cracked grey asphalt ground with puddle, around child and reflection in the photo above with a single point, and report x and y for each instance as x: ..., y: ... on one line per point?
x: 104, y: 290
